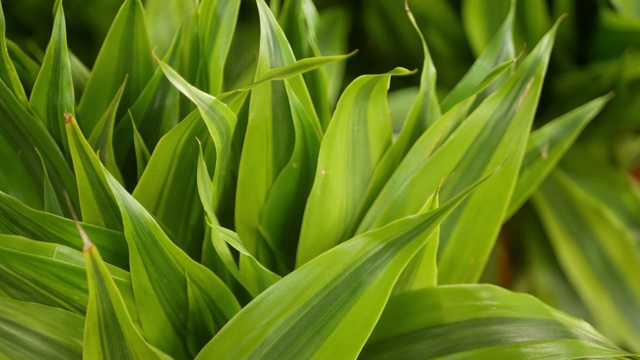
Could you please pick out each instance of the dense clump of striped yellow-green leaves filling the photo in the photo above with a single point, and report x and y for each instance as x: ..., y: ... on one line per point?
x: 209, y: 190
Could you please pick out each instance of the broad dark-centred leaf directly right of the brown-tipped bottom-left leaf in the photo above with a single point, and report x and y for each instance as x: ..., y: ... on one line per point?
x: 160, y: 273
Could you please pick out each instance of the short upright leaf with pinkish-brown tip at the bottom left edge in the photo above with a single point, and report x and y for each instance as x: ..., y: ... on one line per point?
x: 109, y: 331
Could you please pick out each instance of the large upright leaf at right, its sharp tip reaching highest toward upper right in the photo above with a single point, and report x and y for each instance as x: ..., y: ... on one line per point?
x: 495, y: 133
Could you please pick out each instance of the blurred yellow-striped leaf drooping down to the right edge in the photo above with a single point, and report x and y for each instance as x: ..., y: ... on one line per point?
x: 597, y: 252
